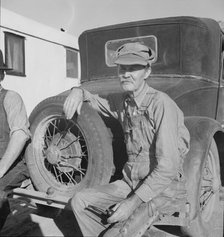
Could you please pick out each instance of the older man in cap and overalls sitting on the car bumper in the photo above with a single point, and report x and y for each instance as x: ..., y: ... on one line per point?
x: 156, y: 142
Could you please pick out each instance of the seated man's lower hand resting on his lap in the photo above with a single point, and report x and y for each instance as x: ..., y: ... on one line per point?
x: 124, y: 209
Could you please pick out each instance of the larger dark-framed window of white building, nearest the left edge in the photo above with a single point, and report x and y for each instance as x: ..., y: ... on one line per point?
x: 15, y: 54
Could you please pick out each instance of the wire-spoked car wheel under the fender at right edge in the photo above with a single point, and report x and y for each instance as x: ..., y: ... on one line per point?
x: 209, y: 220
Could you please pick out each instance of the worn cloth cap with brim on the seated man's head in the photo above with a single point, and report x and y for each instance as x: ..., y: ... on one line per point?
x: 134, y: 53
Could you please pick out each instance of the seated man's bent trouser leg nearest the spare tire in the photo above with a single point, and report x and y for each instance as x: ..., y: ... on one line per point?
x: 89, y: 205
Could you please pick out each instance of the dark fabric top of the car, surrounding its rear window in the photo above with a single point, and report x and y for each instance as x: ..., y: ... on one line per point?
x: 186, y: 46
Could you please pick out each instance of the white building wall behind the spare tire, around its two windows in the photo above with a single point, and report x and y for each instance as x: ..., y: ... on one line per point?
x: 45, y: 59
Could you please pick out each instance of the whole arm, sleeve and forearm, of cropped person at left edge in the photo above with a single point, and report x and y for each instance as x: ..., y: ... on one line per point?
x: 19, y: 130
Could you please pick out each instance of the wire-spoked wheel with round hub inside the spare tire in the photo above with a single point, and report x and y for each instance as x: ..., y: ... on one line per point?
x: 62, y: 150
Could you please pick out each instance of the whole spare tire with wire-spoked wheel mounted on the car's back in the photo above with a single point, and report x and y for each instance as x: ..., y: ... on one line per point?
x: 65, y: 156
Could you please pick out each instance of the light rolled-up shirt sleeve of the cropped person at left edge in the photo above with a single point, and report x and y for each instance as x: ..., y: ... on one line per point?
x: 16, y: 113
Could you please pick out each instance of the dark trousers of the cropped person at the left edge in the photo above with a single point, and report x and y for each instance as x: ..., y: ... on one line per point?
x: 12, y: 179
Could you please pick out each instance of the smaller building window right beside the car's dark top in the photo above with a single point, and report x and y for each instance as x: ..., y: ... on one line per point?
x: 71, y: 63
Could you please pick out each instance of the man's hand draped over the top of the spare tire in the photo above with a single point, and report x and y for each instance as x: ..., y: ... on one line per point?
x: 73, y: 102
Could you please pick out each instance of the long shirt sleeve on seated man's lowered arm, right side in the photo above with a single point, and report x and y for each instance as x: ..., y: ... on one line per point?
x: 167, y: 117
